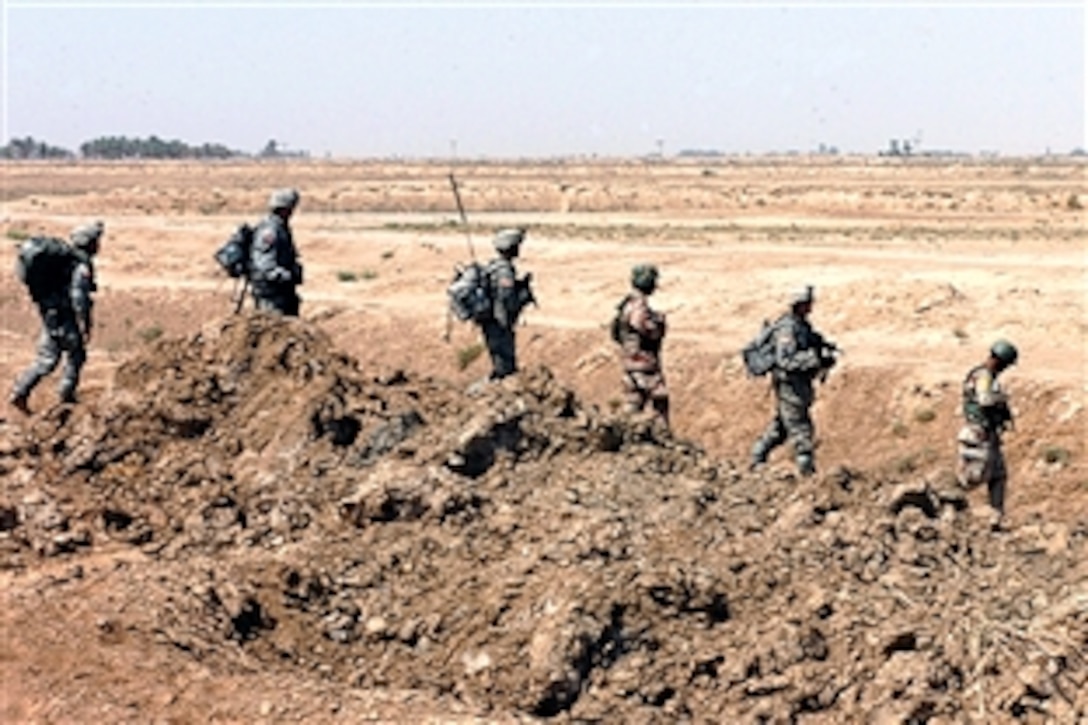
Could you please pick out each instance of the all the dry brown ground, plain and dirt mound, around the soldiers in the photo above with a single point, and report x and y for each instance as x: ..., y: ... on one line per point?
x: 251, y: 520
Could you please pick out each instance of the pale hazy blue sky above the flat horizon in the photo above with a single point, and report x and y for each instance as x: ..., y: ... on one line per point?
x: 537, y: 79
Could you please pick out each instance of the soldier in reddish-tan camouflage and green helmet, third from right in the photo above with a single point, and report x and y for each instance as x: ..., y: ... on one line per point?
x: 641, y: 333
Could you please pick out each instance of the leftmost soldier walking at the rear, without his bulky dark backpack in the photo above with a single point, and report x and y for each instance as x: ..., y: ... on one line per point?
x: 67, y: 323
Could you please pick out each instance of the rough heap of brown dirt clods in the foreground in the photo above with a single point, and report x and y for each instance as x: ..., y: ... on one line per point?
x: 529, y: 556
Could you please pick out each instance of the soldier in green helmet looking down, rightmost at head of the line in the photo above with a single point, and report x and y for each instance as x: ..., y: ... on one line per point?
x: 986, y: 416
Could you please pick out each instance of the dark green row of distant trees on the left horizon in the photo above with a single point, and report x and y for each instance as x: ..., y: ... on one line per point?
x: 123, y: 148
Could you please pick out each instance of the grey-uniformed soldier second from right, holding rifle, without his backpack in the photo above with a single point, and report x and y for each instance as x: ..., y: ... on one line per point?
x: 801, y: 355
